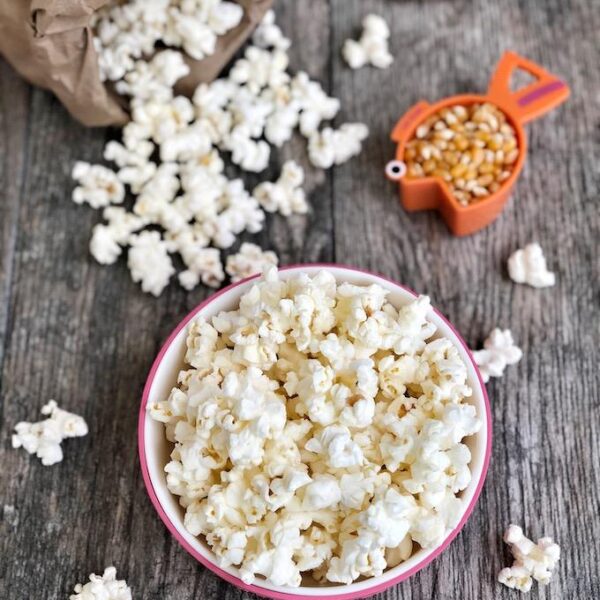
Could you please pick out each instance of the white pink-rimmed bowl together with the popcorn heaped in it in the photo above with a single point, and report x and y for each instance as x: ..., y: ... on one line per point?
x: 317, y: 431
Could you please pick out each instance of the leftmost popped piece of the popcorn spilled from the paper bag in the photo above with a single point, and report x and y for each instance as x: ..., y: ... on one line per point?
x: 98, y: 186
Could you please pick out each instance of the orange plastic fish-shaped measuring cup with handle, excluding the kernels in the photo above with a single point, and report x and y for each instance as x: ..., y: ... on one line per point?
x: 520, y: 107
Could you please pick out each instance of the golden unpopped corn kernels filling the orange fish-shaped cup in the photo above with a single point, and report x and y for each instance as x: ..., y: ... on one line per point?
x: 462, y: 144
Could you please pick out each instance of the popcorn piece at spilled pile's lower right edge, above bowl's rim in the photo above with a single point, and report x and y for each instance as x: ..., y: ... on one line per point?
x: 286, y: 195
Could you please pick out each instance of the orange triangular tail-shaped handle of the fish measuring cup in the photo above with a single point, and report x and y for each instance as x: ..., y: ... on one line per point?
x: 532, y: 101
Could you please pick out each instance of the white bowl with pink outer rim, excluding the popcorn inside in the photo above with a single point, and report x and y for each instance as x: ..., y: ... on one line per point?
x: 154, y: 448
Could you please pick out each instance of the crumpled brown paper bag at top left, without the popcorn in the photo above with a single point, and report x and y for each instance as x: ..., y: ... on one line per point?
x: 49, y: 43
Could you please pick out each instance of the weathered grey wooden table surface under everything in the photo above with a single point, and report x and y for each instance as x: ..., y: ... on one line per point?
x: 85, y: 335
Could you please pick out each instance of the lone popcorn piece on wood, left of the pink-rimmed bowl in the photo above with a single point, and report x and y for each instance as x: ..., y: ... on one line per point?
x: 44, y: 437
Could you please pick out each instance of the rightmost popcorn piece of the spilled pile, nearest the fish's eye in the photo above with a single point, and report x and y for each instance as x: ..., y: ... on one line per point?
x: 334, y: 147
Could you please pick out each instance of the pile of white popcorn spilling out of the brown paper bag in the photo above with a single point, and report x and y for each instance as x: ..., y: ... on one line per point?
x: 170, y: 158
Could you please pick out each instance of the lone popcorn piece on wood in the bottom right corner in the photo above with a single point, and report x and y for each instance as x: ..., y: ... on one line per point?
x: 532, y: 561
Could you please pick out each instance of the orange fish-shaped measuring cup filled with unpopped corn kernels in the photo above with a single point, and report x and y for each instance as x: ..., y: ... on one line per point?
x: 462, y: 155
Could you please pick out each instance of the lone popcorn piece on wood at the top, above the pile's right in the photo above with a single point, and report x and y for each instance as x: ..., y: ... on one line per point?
x: 373, y: 46
